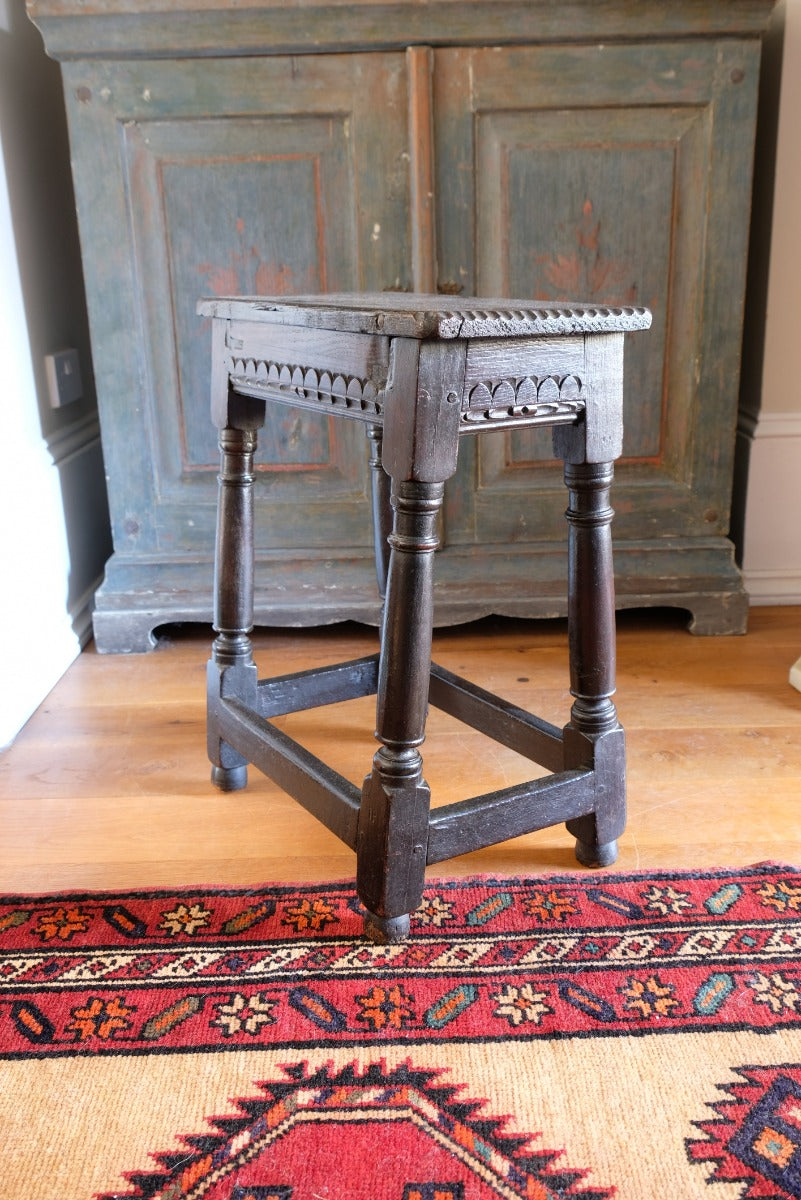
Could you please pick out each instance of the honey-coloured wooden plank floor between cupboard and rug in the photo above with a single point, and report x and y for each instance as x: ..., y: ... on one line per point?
x: 109, y: 784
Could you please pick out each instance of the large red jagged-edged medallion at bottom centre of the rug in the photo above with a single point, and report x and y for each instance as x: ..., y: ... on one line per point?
x: 288, y: 1143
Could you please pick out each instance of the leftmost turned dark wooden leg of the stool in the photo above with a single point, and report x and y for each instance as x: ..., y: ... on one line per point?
x: 232, y: 671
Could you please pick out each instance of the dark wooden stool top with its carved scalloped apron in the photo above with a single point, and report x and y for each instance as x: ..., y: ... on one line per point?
x: 427, y: 369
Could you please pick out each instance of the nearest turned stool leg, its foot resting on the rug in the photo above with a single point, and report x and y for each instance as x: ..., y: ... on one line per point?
x: 394, y: 819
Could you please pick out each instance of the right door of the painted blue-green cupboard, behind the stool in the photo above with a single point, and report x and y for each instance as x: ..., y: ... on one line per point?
x: 616, y: 175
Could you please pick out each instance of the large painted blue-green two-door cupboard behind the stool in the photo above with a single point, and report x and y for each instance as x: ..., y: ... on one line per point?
x: 599, y: 153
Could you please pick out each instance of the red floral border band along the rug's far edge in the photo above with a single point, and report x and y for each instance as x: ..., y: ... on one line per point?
x: 569, y: 956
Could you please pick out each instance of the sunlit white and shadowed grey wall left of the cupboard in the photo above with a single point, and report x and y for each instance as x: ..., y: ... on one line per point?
x: 53, y: 511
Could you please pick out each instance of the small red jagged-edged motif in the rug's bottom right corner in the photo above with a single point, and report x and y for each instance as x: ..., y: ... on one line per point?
x: 757, y: 1138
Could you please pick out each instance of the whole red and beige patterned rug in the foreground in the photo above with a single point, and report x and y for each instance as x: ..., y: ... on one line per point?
x: 574, y: 1036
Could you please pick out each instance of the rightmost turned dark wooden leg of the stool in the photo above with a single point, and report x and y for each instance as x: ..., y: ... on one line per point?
x: 594, y: 737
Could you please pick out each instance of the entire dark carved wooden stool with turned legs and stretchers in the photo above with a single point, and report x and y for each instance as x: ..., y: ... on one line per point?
x: 423, y: 373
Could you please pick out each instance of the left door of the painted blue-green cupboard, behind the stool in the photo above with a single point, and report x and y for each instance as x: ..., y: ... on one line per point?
x: 230, y: 177
